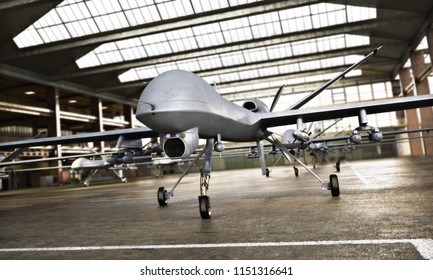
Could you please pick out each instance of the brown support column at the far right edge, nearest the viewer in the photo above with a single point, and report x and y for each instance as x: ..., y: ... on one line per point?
x: 420, y: 72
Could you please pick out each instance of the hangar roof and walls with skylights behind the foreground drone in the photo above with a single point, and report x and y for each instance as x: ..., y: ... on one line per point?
x: 78, y: 66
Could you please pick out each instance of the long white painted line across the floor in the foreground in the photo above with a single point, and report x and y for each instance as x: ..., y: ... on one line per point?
x: 423, y: 246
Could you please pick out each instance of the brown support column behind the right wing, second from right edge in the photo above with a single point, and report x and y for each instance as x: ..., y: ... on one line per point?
x: 411, y: 115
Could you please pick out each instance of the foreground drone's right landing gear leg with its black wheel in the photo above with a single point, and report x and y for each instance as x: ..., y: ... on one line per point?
x: 333, y: 184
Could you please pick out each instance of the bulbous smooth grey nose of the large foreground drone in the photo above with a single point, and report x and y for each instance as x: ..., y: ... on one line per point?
x: 176, y: 101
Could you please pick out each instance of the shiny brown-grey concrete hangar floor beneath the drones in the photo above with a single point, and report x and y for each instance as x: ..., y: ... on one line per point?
x: 385, y: 211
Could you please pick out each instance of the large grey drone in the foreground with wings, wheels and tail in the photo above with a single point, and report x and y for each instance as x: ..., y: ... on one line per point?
x: 182, y: 108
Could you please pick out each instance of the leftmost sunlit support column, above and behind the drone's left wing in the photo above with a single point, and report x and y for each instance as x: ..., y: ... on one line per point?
x: 54, y: 127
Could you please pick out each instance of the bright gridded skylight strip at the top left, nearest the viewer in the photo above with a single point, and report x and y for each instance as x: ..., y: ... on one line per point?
x: 105, y: 15
